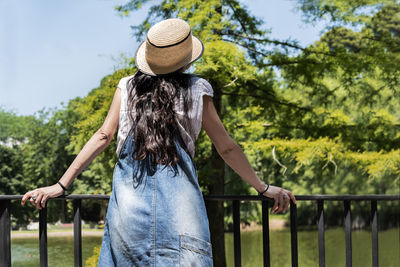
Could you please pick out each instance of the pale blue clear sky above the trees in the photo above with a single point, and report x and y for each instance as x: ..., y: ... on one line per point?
x: 53, y: 51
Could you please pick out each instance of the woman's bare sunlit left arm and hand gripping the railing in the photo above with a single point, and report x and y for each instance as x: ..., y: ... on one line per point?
x: 96, y: 144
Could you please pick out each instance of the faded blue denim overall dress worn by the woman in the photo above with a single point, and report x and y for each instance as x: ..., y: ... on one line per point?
x: 153, y: 217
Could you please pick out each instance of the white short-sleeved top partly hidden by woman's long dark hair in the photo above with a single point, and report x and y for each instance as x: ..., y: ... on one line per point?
x: 198, y: 87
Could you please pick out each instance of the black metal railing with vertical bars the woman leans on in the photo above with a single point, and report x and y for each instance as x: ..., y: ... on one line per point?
x: 5, y: 225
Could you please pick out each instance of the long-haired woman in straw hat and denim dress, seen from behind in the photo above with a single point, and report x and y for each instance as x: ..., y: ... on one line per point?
x: 156, y: 212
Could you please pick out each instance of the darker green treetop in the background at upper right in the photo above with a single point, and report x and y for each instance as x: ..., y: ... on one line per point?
x: 350, y: 55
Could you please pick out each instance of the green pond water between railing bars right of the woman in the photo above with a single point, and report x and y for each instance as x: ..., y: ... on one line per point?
x: 335, y: 248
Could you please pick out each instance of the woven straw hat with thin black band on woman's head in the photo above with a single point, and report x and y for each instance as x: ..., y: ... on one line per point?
x: 169, y: 46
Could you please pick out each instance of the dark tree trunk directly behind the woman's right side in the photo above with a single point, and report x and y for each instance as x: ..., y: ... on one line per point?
x: 215, y: 209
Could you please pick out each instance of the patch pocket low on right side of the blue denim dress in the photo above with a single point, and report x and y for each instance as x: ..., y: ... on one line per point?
x: 194, y: 251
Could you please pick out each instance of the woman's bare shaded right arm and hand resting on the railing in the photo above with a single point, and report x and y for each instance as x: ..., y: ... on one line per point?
x: 233, y: 155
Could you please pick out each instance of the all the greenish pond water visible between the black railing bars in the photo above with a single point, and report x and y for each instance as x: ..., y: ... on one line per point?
x: 25, y: 251
